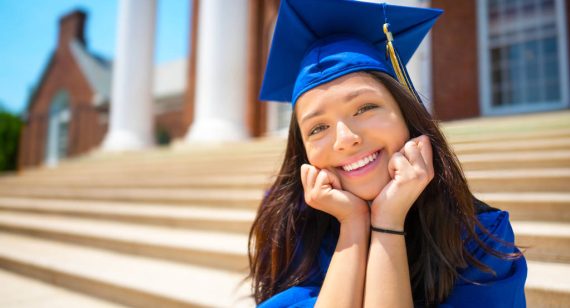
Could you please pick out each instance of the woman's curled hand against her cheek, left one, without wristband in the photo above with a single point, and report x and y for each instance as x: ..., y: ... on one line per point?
x: 324, y: 192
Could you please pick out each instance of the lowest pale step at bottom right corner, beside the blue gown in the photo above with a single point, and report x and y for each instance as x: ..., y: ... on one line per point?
x: 547, y: 284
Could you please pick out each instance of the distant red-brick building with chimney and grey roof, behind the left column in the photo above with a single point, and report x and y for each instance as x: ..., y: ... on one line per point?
x: 68, y: 111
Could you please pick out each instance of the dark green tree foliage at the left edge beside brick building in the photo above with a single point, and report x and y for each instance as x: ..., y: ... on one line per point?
x: 10, y: 129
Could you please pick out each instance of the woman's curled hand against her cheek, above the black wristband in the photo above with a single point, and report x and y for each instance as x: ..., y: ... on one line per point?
x: 411, y: 170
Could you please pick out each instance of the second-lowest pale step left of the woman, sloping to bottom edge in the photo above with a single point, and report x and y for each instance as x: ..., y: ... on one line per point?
x: 128, y: 280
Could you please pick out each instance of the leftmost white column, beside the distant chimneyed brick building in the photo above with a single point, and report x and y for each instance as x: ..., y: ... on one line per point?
x: 131, y: 113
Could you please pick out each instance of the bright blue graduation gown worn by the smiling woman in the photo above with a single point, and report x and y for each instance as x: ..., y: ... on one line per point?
x: 506, y: 289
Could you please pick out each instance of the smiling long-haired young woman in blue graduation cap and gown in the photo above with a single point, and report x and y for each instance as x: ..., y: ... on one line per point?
x: 370, y: 207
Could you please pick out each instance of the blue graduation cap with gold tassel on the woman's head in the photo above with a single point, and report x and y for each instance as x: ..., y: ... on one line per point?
x: 316, y: 41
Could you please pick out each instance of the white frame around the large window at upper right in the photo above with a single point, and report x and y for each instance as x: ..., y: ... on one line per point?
x: 485, y: 80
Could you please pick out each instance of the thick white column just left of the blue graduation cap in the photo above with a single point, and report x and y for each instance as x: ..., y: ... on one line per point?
x: 221, y: 72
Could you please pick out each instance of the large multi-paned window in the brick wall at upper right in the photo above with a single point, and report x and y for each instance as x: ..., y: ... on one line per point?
x: 523, y: 57
